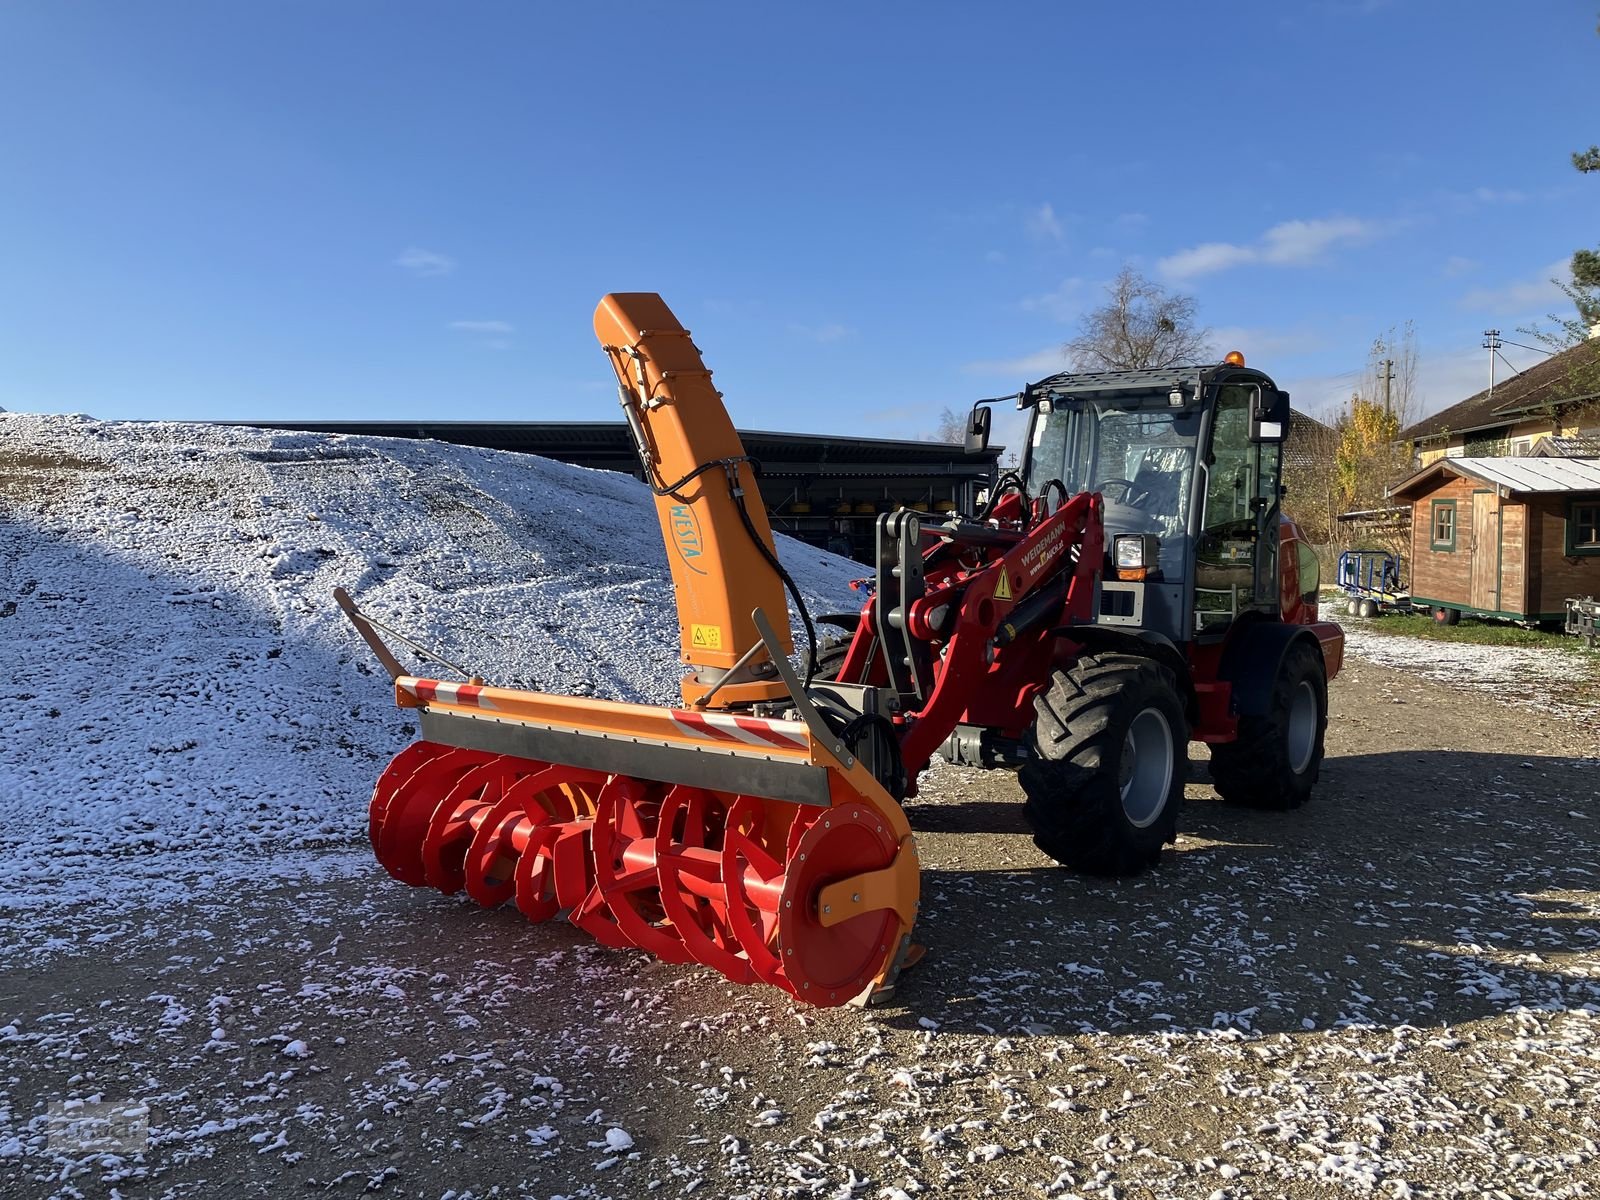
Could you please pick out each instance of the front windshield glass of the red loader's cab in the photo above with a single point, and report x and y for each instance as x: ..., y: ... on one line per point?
x: 1142, y: 460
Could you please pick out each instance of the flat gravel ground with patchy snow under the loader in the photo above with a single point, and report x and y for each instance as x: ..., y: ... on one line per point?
x: 1393, y: 993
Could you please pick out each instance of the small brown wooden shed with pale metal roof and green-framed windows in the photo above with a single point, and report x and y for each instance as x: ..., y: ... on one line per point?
x: 1505, y: 537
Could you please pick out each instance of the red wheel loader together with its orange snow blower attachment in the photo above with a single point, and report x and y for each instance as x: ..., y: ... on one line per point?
x: 1134, y: 586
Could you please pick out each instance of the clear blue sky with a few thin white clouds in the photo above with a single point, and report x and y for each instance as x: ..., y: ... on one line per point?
x: 863, y: 212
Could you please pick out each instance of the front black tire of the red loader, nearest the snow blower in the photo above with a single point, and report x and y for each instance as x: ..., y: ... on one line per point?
x: 1095, y: 804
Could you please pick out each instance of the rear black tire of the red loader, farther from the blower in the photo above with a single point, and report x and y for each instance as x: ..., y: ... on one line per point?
x: 1270, y: 766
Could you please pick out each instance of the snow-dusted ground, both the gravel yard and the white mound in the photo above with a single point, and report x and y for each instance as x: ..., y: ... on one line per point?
x: 1391, y: 993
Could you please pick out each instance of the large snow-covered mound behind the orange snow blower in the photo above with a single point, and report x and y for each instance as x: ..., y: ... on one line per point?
x: 182, y: 694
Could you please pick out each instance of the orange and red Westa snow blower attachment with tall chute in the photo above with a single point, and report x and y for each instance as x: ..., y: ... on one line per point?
x: 740, y: 831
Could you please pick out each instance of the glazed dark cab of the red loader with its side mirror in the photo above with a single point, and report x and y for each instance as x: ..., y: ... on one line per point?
x: 1188, y: 463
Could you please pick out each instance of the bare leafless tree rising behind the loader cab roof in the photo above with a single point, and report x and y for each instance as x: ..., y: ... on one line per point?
x: 1142, y: 326
